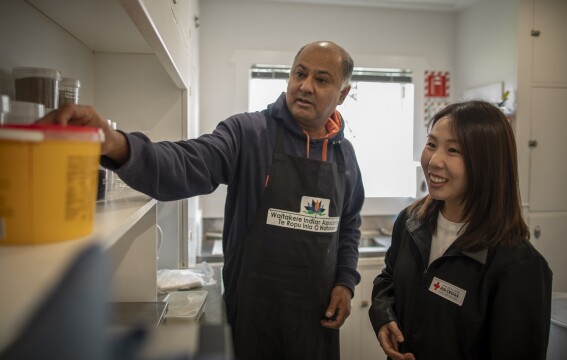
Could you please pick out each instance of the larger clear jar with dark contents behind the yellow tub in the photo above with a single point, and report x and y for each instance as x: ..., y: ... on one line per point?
x: 38, y: 85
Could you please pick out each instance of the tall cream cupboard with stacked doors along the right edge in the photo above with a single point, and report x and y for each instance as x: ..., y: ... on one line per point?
x: 545, y: 88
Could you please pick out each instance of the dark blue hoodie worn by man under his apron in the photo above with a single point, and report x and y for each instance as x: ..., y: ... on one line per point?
x: 238, y: 153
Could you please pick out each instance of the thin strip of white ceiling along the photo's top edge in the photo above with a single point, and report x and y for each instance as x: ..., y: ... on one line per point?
x: 434, y: 5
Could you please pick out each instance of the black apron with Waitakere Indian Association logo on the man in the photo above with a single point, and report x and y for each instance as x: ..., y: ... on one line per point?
x: 289, y: 258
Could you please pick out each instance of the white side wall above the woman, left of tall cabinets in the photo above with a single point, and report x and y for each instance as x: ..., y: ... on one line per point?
x: 487, y: 52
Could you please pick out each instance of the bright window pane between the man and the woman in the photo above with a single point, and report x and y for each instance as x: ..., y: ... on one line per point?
x: 379, y: 123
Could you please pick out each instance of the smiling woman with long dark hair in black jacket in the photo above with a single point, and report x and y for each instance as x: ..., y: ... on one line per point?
x: 462, y: 280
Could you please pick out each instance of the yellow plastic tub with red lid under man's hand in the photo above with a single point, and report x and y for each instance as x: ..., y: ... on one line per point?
x: 48, y: 182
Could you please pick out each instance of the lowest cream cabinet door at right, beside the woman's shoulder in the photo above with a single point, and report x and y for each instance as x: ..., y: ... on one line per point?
x: 551, y: 244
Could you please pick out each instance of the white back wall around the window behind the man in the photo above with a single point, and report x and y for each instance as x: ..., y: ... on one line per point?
x: 229, y: 28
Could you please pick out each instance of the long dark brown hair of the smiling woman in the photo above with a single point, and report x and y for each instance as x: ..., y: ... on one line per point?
x: 492, y: 210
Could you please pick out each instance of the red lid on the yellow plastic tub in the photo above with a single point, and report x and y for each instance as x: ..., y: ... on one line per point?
x: 40, y: 132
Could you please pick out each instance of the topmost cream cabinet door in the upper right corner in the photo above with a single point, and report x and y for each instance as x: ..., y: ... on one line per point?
x: 549, y: 45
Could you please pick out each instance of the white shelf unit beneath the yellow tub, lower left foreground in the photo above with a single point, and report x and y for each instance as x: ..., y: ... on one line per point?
x: 27, y: 273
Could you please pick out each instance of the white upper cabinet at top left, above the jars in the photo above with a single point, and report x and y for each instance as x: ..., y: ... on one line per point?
x: 163, y: 28
